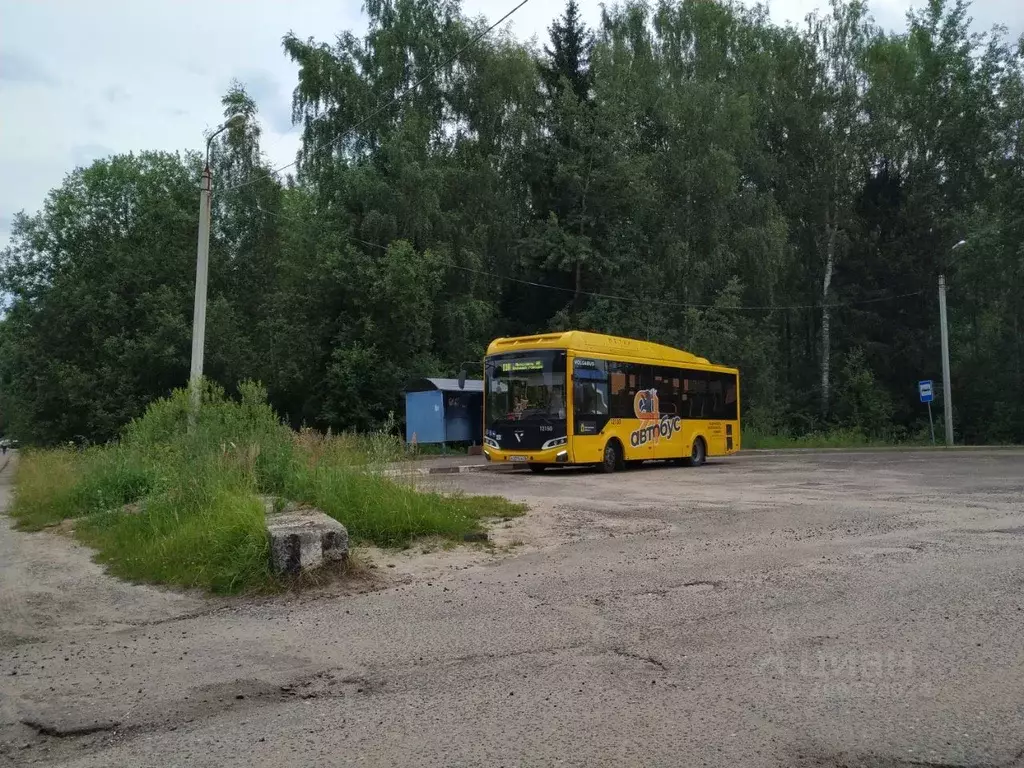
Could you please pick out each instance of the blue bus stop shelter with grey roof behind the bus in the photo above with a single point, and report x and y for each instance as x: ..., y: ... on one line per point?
x: 438, y: 411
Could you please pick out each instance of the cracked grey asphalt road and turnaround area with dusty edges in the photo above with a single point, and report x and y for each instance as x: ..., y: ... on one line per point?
x: 836, y: 610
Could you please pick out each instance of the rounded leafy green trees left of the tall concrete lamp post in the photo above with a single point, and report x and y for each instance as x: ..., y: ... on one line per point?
x: 102, y: 283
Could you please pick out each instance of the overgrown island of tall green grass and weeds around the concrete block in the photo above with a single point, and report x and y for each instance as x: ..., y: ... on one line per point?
x: 176, y: 505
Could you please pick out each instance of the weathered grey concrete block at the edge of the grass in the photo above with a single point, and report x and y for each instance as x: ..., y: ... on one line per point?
x: 303, y: 539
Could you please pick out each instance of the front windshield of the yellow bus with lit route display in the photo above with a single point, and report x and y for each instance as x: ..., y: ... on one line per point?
x: 526, y: 387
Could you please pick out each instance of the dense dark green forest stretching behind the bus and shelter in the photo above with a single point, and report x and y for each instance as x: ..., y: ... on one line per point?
x: 778, y: 198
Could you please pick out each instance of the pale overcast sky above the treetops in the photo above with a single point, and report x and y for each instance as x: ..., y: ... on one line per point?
x: 83, y: 79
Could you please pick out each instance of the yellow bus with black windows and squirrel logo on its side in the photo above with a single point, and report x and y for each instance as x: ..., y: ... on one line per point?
x: 578, y: 398
